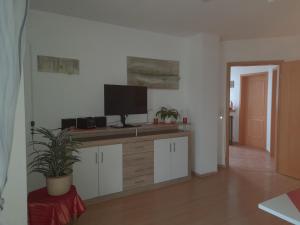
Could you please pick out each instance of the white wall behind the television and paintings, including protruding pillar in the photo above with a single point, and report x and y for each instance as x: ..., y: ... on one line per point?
x: 102, y: 50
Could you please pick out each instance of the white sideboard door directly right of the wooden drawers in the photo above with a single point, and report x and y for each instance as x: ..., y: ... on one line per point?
x: 162, y: 160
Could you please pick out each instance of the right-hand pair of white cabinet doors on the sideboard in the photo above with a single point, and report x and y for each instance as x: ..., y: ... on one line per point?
x: 170, y: 159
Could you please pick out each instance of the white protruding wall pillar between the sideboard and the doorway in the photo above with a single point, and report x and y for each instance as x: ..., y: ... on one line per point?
x: 203, y: 58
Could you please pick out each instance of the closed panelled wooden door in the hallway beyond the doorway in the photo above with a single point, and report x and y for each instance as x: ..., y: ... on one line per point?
x: 253, y: 110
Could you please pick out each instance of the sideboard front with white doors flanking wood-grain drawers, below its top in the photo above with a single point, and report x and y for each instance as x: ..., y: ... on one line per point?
x: 130, y: 166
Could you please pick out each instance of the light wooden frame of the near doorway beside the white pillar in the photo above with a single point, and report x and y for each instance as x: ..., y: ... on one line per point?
x: 227, y: 103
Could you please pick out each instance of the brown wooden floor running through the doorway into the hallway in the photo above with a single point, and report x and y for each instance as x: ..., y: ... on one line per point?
x: 230, y: 197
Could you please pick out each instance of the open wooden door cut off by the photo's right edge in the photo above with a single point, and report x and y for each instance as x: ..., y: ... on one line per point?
x: 288, y: 148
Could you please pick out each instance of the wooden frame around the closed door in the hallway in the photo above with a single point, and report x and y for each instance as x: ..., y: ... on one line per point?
x: 242, y: 123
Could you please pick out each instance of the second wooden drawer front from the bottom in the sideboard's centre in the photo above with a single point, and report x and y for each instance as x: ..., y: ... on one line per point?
x: 138, y: 170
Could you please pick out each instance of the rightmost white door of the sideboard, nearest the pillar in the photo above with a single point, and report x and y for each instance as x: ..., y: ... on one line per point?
x: 179, y: 158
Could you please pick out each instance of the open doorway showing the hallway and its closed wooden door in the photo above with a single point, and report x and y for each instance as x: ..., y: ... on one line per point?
x: 251, y: 109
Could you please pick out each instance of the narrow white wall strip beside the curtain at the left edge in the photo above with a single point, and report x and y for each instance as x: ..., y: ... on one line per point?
x: 15, y: 192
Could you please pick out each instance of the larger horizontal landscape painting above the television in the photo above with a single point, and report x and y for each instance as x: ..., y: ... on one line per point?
x: 153, y: 73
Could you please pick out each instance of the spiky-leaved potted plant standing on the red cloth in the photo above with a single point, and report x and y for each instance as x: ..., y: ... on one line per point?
x: 53, y: 156
